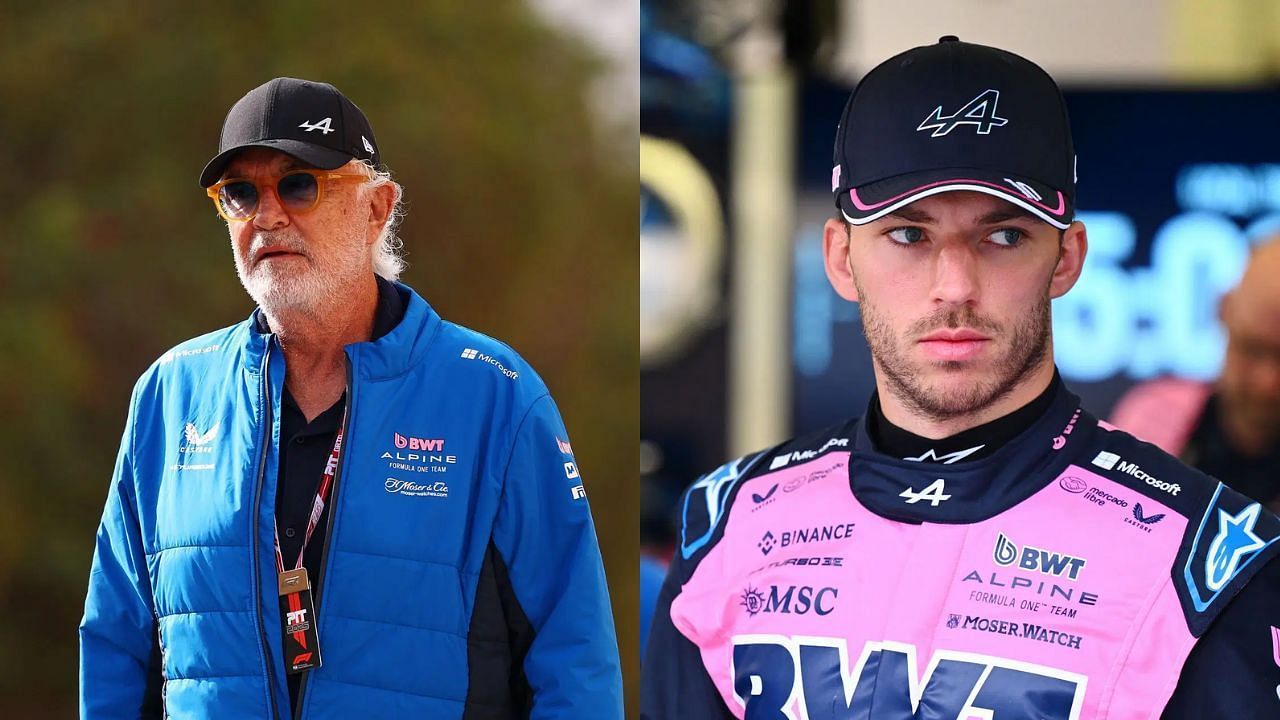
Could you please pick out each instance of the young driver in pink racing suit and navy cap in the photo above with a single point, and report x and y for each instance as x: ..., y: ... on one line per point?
x: 976, y: 545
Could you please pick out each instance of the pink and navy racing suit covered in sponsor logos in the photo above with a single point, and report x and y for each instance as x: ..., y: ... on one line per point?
x: 1069, y: 576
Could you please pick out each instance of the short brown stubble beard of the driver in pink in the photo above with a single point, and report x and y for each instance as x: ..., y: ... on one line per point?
x: 1030, y: 343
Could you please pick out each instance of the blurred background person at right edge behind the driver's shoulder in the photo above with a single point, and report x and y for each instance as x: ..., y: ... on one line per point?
x: 1231, y: 431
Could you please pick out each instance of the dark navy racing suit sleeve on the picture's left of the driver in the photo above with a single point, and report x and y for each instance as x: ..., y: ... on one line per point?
x: 674, y: 683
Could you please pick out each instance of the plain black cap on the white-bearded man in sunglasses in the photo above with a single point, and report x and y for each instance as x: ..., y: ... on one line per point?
x: 310, y: 121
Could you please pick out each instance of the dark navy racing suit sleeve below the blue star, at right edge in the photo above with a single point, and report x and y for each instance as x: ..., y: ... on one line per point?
x: 1235, y: 669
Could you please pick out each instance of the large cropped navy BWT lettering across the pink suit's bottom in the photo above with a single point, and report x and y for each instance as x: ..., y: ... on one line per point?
x: 811, y: 678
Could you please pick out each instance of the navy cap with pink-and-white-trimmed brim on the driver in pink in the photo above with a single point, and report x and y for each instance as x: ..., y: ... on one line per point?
x: 956, y: 116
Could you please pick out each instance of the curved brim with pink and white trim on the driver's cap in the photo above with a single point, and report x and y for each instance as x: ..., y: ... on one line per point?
x: 868, y: 203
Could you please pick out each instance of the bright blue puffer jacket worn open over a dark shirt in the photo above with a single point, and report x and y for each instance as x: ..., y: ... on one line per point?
x: 463, y: 577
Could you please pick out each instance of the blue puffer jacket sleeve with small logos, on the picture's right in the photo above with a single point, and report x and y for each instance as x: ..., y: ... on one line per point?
x: 547, y: 541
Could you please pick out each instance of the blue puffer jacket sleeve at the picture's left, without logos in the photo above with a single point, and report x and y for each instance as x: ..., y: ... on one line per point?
x: 120, y: 648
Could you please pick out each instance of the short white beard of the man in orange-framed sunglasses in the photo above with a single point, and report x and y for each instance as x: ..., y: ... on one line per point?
x: 313, y: 290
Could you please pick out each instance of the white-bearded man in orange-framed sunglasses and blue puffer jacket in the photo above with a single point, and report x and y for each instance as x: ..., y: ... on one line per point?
x: 344, y: 507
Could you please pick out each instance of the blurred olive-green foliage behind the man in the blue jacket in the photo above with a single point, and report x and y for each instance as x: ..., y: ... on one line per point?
x: 522, y: 224
